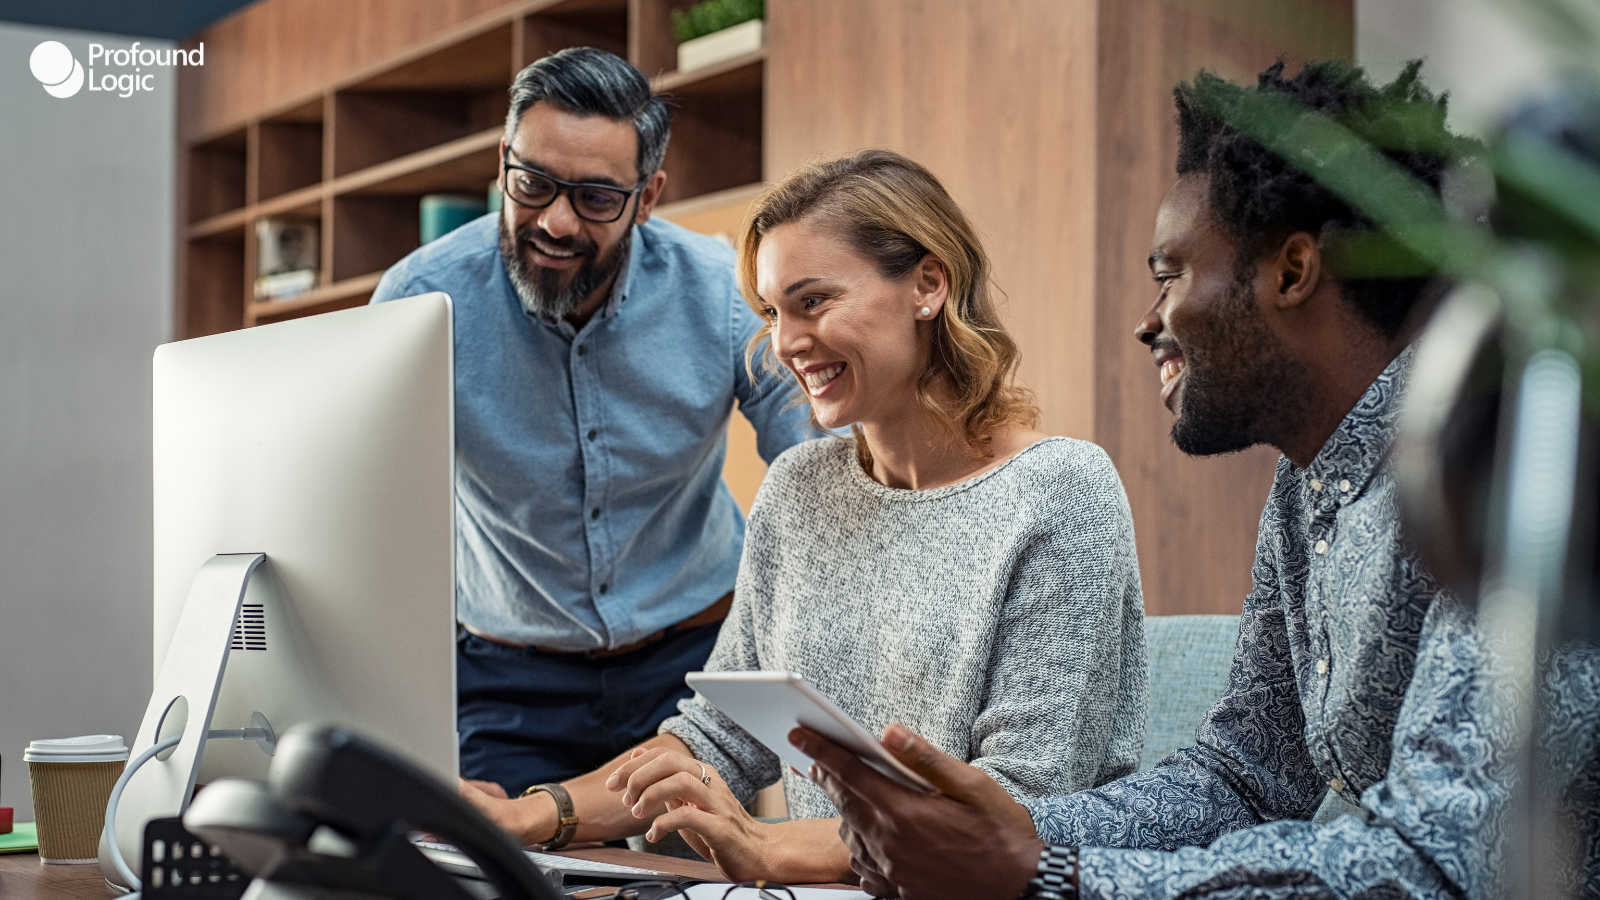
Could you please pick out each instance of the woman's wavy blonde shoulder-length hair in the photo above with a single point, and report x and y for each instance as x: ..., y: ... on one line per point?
x: 895, y: 212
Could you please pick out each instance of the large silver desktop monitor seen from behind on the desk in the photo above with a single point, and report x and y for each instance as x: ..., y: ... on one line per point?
x: 329, y: 446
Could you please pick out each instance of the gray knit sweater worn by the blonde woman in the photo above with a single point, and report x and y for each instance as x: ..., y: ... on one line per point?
x: 999, y: 617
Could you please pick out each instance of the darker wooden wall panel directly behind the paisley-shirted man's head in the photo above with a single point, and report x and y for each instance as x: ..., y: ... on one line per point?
x: 1196, y: 520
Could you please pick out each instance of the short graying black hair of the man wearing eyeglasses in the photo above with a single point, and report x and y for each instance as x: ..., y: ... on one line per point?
x: 593, y: 82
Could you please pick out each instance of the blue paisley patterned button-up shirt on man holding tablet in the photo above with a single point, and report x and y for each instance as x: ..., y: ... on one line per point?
x: 1322, y: 697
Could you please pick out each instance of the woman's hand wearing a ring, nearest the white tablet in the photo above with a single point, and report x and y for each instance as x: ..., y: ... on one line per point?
x: 710, y: 818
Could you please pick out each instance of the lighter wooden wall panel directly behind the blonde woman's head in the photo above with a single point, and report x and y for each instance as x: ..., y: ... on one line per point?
x: 998, y: 100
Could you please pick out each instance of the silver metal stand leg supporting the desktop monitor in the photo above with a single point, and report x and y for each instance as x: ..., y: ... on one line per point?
x: 183, y: 702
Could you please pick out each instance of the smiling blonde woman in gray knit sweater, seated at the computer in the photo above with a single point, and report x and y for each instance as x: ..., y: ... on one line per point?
x: 948, y: 566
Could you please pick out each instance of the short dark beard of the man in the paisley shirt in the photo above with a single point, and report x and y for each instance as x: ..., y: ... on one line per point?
x: 1241, y: 384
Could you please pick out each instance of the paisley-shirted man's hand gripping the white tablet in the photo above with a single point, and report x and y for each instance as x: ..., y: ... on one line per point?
x: 970, y: 842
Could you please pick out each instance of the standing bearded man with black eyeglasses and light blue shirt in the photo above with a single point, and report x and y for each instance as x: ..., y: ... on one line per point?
x: 599, y: 353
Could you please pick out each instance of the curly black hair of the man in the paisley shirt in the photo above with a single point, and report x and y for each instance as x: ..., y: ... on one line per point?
x: 1260, y: 199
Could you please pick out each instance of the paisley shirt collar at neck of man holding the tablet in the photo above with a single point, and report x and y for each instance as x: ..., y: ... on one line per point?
x: 1359, y: 448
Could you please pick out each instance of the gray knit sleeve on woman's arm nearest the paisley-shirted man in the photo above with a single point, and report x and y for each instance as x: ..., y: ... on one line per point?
x: 1068, y: 686
